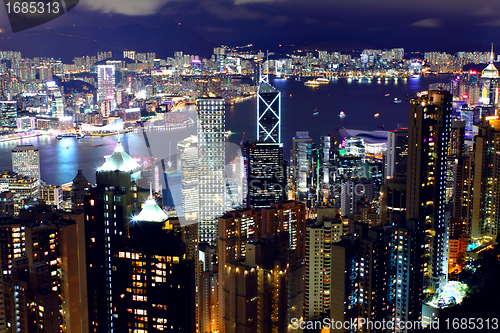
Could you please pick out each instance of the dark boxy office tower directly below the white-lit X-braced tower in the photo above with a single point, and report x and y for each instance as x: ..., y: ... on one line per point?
x: 265, y: 173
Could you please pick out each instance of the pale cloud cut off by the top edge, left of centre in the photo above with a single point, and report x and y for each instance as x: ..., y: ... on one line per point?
x: 125, y: 7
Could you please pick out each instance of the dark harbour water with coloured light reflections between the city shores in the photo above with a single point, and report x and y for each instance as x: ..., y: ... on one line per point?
x: 304, y: 108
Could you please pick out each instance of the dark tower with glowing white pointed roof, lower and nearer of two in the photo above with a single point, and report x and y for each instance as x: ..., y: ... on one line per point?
x: 153, y: 282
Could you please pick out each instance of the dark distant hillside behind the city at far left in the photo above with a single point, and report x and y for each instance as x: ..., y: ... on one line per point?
x: 72, y: 42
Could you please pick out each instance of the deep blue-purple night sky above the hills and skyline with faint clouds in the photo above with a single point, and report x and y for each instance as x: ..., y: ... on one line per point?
x: 420, y: 25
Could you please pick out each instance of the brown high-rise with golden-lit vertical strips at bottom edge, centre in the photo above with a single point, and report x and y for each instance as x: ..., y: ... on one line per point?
x: 265, y: 290
